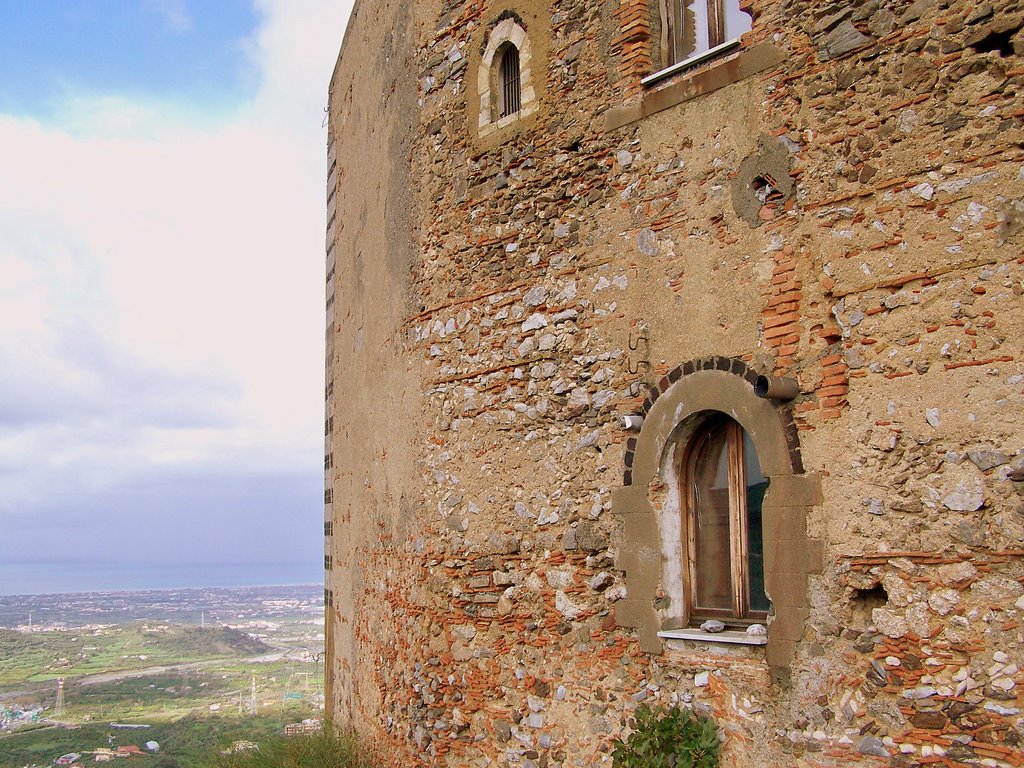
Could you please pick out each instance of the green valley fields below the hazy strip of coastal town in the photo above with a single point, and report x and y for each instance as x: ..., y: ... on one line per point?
x: 195, y: 689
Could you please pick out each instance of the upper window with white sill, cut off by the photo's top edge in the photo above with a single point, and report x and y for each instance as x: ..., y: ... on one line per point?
x: 693, y: 30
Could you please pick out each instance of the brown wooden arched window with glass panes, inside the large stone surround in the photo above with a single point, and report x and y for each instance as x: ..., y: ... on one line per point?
x: 722, y: 490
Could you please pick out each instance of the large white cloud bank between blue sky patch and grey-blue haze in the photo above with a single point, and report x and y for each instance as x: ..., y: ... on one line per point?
x: 162, y: 277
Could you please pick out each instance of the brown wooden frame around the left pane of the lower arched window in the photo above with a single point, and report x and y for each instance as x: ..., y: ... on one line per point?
x: 741, y: 615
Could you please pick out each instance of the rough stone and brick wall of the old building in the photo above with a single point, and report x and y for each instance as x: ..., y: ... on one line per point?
x: 838, y: 200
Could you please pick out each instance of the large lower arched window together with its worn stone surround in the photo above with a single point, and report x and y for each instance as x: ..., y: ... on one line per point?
x: 715, y: 459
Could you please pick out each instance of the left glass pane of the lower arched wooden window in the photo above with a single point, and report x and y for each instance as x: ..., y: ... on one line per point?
x: 713, y: 587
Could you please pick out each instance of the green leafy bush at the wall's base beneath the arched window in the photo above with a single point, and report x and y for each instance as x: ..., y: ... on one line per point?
x: 673, y: 739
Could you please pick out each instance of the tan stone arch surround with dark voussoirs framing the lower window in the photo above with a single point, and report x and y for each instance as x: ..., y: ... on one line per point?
x: 724, y: 386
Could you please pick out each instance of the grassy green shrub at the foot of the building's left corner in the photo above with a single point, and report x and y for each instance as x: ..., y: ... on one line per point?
x: 329, y: 749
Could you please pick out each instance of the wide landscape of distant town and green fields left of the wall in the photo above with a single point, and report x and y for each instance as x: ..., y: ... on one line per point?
x: 148, y: 648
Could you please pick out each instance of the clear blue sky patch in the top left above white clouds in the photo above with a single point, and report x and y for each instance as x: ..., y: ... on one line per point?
x: 195, y: 54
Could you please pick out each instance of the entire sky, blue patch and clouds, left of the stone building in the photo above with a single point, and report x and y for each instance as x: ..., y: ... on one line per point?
x: 162, y: 194
